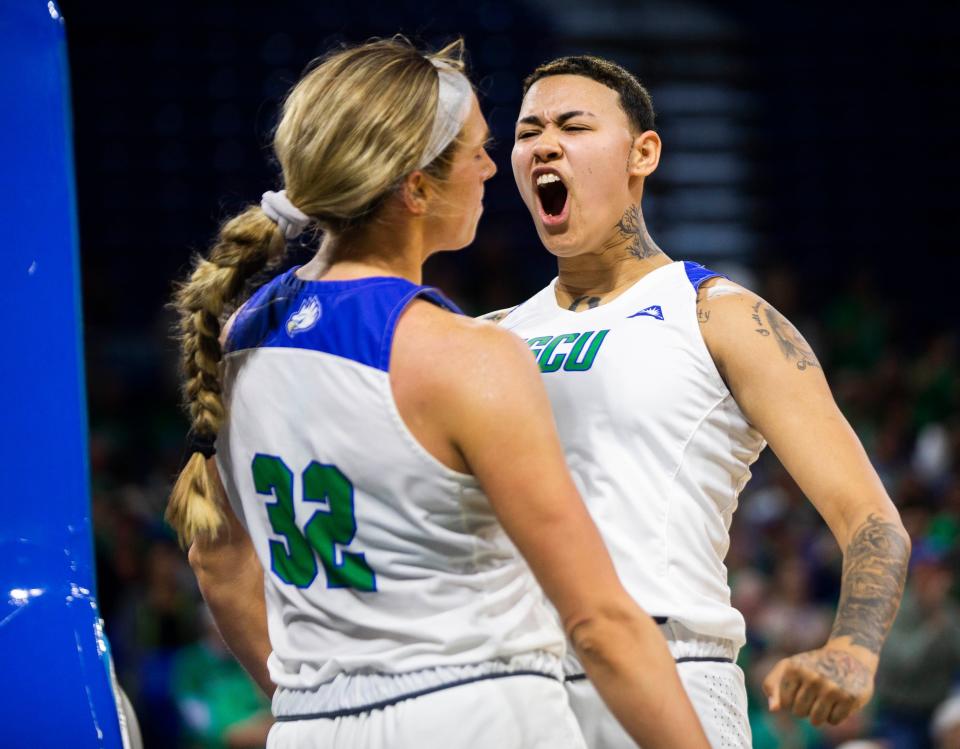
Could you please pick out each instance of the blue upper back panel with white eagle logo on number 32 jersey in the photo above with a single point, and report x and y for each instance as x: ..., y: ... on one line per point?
x: 354, y: 319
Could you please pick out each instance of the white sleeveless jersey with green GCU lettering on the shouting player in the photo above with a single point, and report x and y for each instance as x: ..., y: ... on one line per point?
x: 656, y: 443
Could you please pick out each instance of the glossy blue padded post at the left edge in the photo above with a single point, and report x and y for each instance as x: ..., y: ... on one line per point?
x: 58, y: 690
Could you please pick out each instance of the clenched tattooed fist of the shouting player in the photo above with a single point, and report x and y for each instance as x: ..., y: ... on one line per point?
x: 826, y: 684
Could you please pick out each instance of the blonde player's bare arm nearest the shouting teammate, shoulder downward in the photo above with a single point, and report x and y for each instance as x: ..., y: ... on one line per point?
x: 500, y: 420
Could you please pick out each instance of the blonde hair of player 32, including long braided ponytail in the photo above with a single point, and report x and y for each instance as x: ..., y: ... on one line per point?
x: 353, y: 127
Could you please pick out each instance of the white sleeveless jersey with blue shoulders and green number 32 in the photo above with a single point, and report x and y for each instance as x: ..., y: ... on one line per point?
x: 378, y: 558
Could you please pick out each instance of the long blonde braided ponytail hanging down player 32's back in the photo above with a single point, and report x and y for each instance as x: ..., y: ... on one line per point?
x: 246, y: 245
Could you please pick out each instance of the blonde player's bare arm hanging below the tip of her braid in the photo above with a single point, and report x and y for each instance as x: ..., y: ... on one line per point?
x: 231, y: 580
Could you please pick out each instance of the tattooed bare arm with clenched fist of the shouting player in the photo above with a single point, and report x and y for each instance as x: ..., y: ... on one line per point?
x: 778, y: 383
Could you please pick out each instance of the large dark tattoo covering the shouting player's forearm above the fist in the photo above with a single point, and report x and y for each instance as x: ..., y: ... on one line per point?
x: 874, y: 570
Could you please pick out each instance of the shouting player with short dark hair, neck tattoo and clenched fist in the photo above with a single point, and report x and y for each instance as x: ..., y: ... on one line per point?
x: 666, y: 381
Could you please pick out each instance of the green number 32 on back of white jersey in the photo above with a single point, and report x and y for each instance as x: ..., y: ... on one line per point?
x: 296, y: 561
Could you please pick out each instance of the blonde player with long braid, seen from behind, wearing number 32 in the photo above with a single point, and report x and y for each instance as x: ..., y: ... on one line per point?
x: 378, y: 455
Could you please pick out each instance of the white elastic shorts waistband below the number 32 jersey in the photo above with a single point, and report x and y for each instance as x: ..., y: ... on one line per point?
x: 353, y: 694
